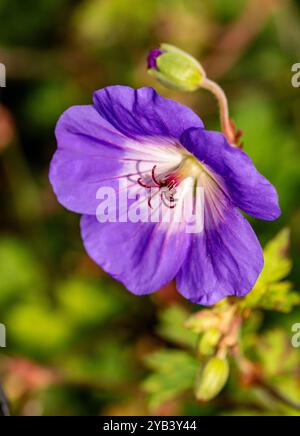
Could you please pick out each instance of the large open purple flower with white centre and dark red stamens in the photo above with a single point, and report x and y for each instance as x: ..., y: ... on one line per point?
x: 139, y: 135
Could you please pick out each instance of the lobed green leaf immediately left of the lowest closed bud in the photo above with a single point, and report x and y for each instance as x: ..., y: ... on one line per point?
x: 174, y: 372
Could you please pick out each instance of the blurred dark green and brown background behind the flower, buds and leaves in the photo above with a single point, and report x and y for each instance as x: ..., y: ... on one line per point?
x: 77, y: 340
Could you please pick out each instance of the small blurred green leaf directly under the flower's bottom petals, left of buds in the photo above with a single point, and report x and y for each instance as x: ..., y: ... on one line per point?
x: 172, y: 327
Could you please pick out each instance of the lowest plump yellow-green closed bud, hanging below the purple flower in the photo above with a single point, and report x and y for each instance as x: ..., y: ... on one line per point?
x: 212, y: 379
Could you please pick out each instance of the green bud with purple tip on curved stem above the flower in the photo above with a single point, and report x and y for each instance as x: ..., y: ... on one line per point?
x: 175, y: 68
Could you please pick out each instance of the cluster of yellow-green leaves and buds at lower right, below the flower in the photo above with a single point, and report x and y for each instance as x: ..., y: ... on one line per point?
x: 232, y: 330
